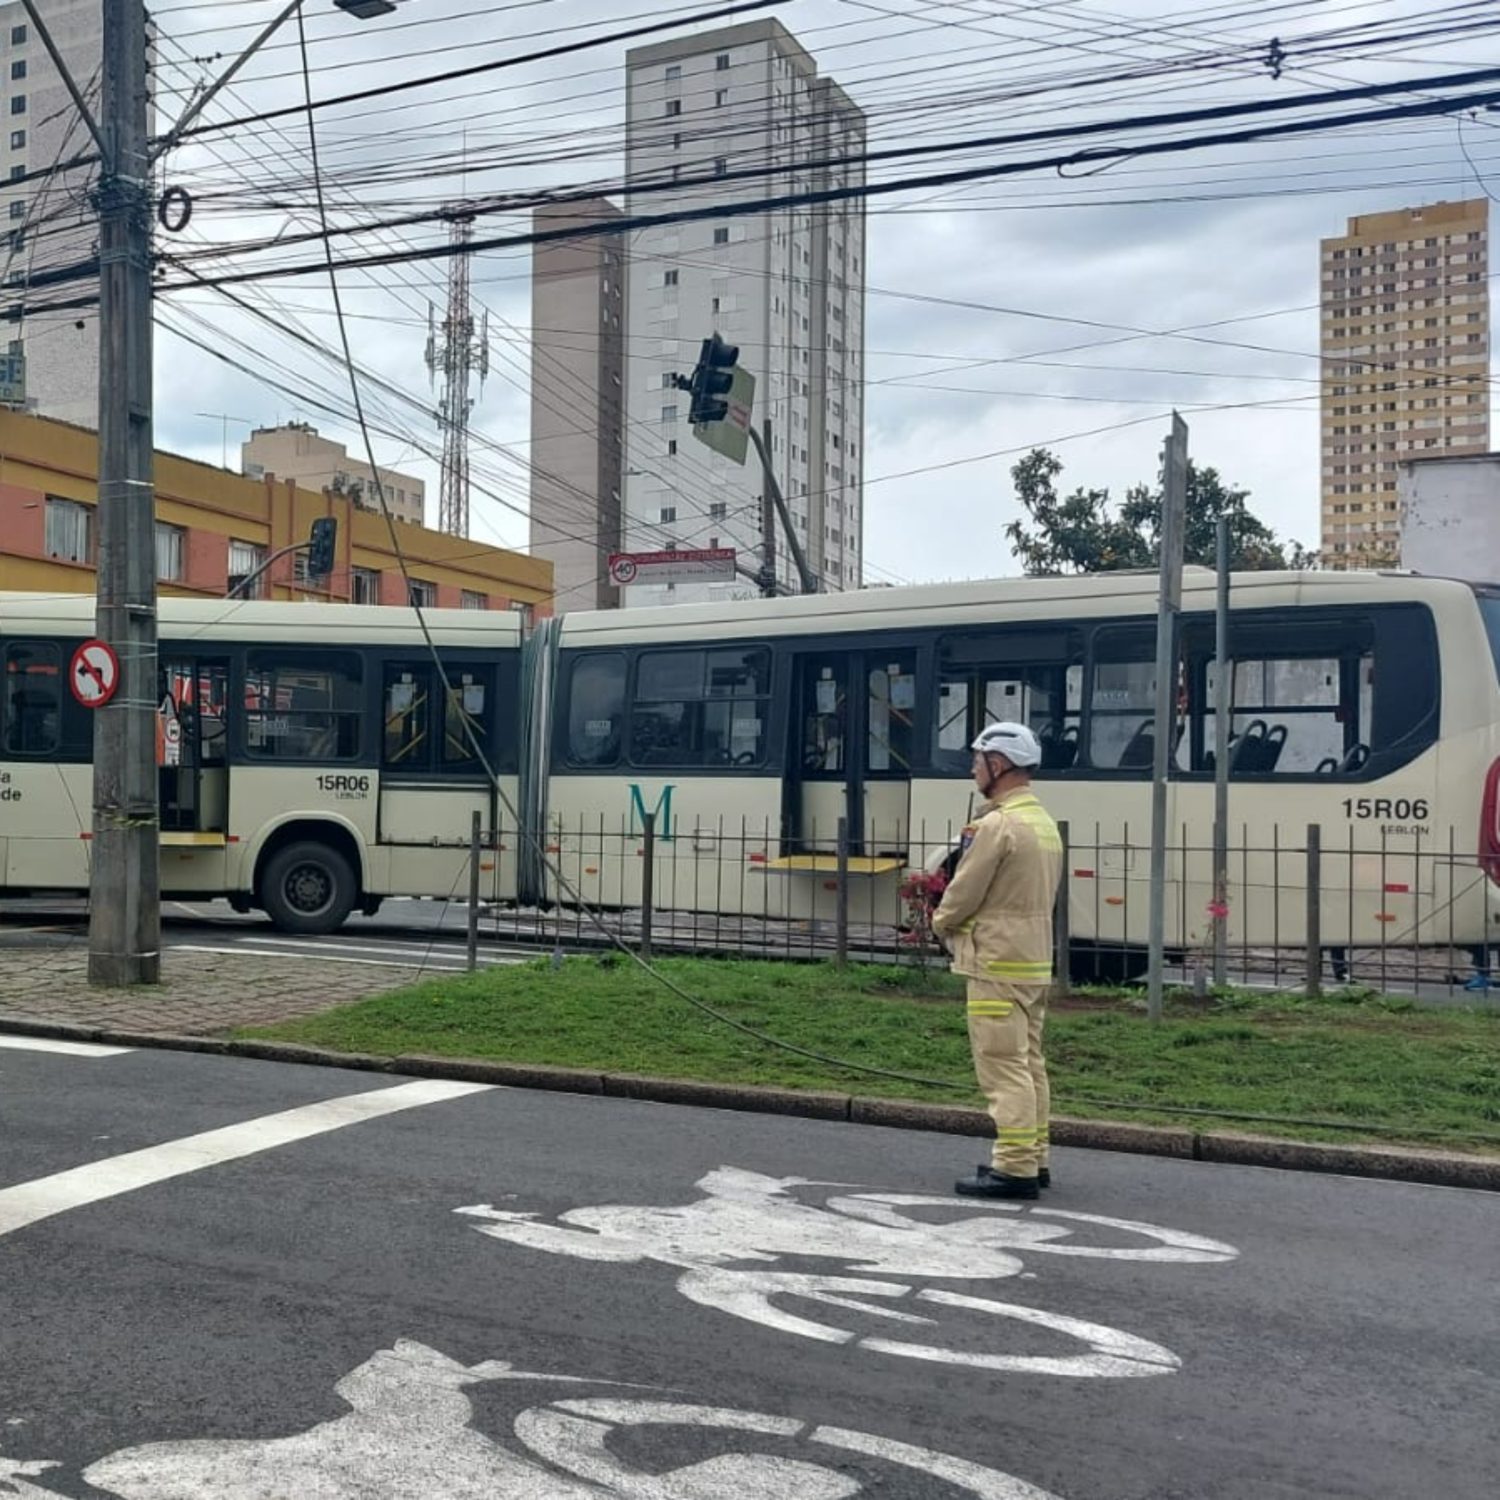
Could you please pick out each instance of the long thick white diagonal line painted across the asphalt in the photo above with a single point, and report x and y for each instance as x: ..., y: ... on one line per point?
x: 31, y: 1202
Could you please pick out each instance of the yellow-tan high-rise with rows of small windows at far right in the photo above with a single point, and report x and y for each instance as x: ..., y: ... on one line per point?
x: 1406, y: 364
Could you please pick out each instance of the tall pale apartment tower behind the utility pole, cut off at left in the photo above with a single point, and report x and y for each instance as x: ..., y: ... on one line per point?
x: 46, y: 221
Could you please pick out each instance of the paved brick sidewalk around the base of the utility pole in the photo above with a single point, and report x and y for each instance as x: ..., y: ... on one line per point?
x: 202, y: 994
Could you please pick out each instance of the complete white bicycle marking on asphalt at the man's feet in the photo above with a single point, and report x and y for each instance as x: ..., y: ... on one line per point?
x: 728, y: 1244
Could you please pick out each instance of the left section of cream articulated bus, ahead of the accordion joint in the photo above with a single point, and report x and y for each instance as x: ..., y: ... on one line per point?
x: 310, y: 764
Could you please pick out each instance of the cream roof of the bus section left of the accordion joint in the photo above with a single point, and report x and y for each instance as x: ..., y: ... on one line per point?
x: 272, y: 622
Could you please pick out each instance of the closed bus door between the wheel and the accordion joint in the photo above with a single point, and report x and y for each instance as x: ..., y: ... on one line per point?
x: 433, y: 781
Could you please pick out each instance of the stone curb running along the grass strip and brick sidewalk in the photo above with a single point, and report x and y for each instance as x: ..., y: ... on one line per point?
x: 1393, y: 1163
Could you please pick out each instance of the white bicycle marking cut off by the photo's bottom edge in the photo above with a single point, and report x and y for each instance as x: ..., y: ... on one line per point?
x: 409, y: 1433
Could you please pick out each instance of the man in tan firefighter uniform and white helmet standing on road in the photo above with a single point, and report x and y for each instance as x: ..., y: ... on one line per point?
x: 997, y: 920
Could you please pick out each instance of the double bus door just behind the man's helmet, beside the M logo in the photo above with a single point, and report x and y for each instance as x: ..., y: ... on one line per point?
x: 854, y: 734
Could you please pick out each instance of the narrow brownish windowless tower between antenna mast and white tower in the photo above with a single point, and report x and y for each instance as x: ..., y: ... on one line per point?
x: 578, y: 308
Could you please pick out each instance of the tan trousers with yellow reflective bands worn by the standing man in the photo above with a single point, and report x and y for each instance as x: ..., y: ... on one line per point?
x: 1006, y: 1037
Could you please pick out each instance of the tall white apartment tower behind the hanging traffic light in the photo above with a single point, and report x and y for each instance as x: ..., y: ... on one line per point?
x: 785, y: 286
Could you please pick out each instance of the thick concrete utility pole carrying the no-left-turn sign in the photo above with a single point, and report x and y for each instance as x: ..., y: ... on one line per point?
x: 125, y: 883
